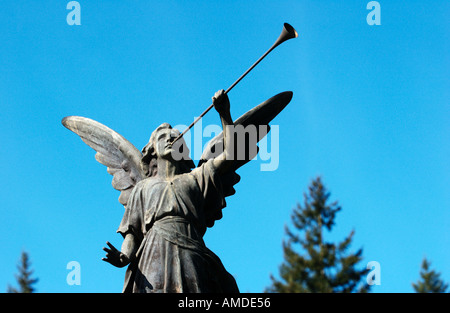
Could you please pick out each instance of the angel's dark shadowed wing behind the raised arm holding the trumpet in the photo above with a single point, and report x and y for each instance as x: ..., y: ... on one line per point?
x: 260, y: 116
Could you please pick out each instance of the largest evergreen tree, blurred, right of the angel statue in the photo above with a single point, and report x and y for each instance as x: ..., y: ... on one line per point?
x: 322, y: 266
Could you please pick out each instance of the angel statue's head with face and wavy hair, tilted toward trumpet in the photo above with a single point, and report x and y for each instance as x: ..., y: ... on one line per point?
x: 159, y: 146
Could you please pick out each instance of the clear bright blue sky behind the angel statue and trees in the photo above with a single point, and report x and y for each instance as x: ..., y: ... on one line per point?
x: 370, y: 114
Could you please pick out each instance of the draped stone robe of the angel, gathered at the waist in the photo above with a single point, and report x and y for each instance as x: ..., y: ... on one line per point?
x: 169, y: 218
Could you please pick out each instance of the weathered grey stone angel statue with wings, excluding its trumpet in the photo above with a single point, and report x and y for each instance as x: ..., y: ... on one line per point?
x: 169, y: 203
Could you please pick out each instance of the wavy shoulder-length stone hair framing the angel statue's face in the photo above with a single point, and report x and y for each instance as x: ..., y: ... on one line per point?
x: 149, y: 157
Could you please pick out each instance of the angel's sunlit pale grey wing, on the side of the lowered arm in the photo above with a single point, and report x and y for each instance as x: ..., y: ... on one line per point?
x: 113, y: 150
